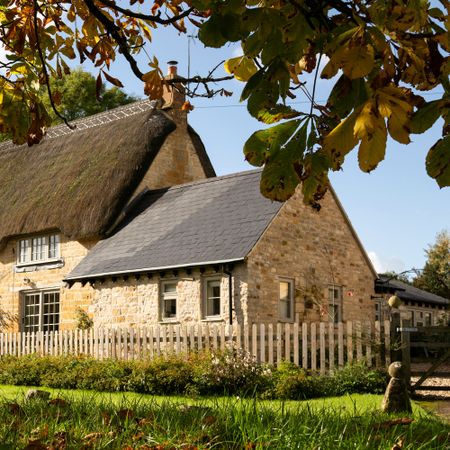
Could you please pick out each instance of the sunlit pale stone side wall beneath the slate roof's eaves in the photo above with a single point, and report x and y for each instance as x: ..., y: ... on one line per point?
x: 133, y: 302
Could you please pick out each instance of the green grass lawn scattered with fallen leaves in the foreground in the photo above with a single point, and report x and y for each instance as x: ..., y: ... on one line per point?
x: 130, y: 421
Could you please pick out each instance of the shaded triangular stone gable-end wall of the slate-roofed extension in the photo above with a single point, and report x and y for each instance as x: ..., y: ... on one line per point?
x: 316, y: 250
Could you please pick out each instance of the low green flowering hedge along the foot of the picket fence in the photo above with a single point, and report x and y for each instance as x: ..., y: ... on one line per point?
x: 219, y: 373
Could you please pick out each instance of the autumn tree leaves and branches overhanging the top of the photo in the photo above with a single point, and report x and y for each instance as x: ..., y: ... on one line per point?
x: 383, y: 53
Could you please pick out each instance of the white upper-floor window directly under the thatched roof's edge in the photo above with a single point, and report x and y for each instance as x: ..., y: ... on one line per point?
x: 38, y: 249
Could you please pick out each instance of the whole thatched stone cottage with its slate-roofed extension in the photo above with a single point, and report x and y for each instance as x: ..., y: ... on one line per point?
x: 125, y: 218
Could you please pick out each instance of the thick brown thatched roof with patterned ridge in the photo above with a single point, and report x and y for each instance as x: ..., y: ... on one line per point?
x: 79, y: 181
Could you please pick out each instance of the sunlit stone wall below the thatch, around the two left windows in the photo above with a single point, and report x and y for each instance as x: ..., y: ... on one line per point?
x: 12, y: 283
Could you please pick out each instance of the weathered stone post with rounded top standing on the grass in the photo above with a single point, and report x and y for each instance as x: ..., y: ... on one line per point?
x: 396, y: 397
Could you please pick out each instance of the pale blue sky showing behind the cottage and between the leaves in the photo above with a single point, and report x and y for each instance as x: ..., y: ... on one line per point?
x: 397, y: 210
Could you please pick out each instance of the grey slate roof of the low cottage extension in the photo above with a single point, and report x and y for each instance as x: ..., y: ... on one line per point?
x: 212, y: 221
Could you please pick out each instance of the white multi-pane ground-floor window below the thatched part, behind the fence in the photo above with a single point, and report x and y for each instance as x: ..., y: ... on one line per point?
x: 40, y: 311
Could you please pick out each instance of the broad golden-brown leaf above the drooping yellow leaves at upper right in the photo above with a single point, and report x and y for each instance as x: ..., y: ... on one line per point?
x: 355, y: 58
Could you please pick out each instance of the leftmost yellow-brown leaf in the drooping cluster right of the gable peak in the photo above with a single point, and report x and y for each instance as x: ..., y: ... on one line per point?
x: 341, y: 140
